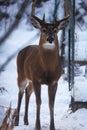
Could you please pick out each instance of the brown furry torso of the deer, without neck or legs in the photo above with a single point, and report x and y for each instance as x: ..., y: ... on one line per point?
x: 44, y: 67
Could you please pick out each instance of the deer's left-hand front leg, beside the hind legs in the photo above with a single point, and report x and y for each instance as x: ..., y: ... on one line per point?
x: 37, y: 90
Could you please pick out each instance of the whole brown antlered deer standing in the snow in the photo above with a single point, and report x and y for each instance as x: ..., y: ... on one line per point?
x: 40, y: 64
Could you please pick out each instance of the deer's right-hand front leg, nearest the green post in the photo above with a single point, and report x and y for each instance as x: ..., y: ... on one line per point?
x: 51, y: 92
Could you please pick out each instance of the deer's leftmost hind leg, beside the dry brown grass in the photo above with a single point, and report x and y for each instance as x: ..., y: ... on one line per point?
x: 22, y: 84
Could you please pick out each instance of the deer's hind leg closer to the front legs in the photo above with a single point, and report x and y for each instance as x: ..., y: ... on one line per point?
x: 28, y: 93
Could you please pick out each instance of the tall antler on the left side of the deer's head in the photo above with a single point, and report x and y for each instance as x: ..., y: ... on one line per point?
x: 35, y: 17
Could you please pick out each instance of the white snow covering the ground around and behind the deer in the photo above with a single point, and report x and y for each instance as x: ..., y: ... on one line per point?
x: 64, y: 118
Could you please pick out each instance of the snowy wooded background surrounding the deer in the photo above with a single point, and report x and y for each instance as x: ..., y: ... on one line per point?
x: 17, y: 32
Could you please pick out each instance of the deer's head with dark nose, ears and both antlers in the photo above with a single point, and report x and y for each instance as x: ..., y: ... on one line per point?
x: 48, y: 30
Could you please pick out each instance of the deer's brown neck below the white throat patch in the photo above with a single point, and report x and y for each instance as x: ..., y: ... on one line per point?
x: 49, y: 56
